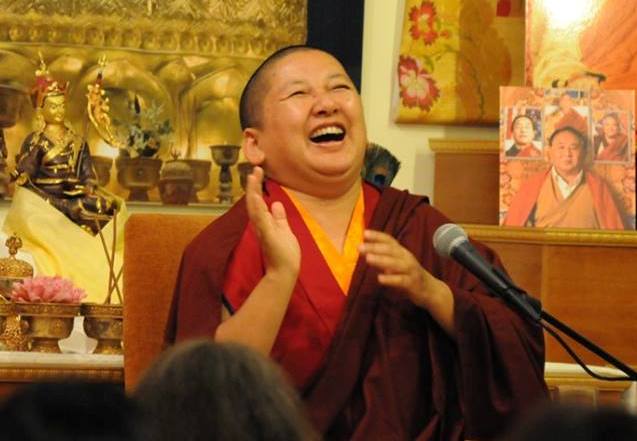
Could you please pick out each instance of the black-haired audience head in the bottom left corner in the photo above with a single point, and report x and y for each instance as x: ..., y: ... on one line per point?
x: 69, y: 411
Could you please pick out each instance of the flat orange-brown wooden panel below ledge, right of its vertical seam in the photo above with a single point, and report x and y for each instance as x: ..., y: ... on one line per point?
x: 594, y: 291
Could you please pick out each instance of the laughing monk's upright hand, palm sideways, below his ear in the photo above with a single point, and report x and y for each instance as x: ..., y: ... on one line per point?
x: 280, y: 247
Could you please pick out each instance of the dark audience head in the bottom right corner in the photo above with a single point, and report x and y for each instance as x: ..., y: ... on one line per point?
x: 558, y: 422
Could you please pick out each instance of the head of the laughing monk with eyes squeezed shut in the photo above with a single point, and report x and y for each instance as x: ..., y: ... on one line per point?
x: 302, y: 121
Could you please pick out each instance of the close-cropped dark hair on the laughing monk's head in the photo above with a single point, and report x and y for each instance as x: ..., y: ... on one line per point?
x: 256, y: 87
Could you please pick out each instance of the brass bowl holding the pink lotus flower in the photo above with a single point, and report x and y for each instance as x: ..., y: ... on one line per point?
x: 46, y: 323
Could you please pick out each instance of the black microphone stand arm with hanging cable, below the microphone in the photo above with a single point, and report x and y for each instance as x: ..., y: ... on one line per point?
x: 531, y: 309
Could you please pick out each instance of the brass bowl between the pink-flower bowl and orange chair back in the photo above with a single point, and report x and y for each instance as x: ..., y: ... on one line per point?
x: 105, y: 324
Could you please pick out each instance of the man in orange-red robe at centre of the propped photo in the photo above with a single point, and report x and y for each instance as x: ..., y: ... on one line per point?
x: 567, y: 194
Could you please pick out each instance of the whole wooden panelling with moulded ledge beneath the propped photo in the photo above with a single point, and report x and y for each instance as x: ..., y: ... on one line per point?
x: 586, y: 280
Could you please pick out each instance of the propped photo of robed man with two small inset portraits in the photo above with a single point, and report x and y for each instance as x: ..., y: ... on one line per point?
x: 567, y: 158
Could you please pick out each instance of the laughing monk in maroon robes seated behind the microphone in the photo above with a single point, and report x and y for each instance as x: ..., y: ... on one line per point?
x: 338, y: 282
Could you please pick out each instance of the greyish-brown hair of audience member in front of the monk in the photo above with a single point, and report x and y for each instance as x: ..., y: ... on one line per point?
x: 205, y: 390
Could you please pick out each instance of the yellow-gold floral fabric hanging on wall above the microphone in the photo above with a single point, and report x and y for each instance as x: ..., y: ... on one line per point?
x: 454, y: 55
